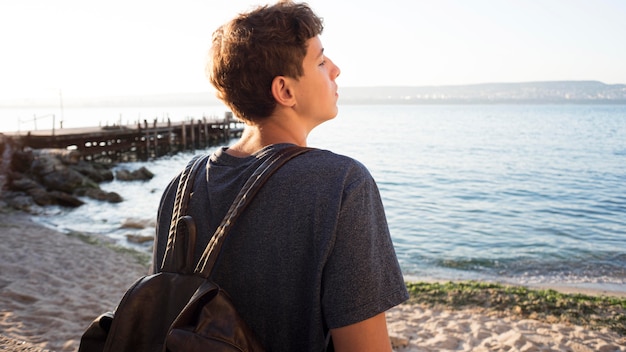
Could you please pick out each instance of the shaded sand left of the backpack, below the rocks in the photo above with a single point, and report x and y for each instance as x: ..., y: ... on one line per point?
x: 53, y: 285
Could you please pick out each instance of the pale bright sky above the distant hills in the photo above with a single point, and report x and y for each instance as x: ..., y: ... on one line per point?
x: 86, y: 48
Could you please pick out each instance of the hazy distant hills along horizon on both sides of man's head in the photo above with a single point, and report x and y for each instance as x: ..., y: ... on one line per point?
x: 558, y: 92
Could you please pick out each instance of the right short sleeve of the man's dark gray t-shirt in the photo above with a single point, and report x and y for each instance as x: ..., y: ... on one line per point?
x: 362, y: 277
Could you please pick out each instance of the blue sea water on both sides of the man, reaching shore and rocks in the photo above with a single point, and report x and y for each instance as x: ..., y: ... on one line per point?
x: 531, y: 194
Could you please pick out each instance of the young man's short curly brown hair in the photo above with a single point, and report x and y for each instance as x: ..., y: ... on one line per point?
x: 251, y: 50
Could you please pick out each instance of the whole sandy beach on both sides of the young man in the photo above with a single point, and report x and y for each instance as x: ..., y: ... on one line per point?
x: 53, y: 285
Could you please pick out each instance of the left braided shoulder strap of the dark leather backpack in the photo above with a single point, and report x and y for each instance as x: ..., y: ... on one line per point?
x: 181, y: 238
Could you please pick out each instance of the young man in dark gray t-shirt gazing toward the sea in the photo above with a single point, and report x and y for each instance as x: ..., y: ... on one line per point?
x: 312, y: 253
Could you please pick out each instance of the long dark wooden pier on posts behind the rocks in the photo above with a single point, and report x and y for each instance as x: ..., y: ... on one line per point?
x: 135, y: 142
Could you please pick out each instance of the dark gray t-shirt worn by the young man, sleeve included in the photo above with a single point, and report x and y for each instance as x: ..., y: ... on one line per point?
x: 312, y: 251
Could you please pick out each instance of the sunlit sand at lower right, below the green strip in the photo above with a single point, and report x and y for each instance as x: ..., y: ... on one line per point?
x: 415, y: 328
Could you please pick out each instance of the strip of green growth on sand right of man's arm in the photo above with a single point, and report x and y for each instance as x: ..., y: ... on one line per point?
x: 595, y: 312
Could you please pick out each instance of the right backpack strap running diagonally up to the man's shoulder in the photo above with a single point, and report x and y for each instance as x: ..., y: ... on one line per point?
x: 244, y: 197
